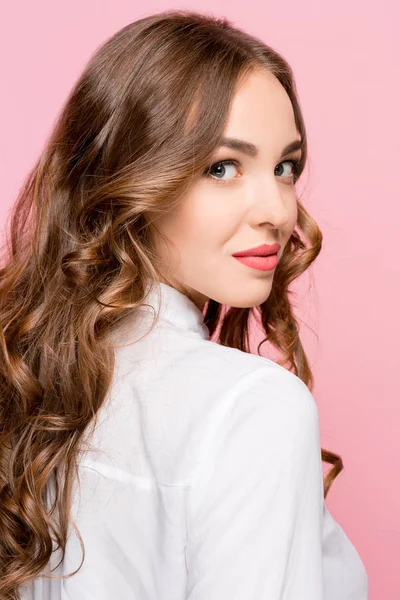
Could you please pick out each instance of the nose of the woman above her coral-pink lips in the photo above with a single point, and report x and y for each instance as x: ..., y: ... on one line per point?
x: 271, y: 204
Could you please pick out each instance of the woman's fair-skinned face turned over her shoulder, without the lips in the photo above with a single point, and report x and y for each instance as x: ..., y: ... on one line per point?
x: 237, y: 206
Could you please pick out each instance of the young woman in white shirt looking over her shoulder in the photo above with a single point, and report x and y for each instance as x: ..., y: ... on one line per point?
x: 141, y: 459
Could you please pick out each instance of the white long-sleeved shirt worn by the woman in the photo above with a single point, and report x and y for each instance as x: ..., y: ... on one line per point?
x: 203, y: 480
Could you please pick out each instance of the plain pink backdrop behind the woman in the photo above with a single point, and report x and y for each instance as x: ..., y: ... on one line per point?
x: 345, y: 57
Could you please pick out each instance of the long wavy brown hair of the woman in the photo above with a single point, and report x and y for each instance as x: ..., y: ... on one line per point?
x: 140, y: 124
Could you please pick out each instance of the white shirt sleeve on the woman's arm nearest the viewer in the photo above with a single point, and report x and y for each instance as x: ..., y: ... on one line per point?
x: 255, y: 509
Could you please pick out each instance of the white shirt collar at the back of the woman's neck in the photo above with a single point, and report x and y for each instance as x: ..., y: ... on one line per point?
x: 175, y: 307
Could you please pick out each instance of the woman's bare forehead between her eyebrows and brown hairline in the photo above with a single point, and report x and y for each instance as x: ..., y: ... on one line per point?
x: 261, y: 111
